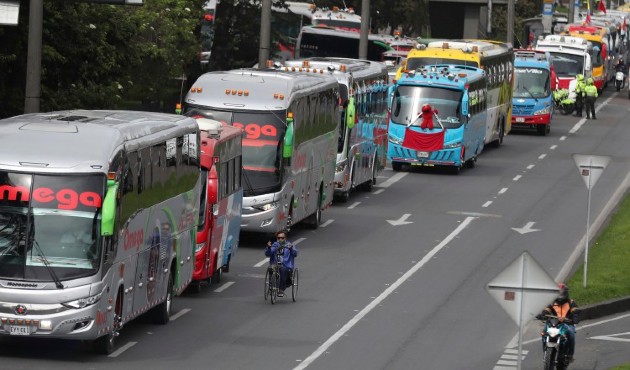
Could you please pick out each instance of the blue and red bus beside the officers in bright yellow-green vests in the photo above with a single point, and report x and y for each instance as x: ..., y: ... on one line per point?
x: 532, y: 101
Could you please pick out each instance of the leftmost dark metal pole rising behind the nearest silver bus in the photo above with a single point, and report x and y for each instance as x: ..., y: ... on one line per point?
x: 32, y: 92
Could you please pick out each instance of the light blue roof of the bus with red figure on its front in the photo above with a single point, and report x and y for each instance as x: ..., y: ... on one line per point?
x: 442, y: 75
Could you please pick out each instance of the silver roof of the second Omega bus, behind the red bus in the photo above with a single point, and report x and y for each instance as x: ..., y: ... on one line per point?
x: 252, y: 89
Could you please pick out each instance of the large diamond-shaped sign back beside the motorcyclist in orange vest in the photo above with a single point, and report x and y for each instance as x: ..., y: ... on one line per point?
x: 523, y: 289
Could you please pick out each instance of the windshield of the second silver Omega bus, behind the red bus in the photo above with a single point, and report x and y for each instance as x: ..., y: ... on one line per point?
x: 262, y: 145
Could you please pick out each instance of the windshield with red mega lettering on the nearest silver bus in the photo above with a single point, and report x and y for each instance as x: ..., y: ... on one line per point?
x: 49, y: 226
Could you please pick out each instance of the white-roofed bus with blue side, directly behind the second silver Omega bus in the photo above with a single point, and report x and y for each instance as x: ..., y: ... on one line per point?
x: 362, y: 144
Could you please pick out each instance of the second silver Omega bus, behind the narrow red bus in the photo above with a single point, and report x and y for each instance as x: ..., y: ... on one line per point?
x: 291, y: 125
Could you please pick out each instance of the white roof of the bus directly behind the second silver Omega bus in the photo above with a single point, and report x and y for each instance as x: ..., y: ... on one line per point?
x: 339, y: 67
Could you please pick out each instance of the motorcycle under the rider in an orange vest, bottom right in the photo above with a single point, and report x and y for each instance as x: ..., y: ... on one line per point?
x: 555, y: 344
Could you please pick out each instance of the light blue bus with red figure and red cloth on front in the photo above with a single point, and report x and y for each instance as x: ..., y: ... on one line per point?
x: 438, y: 117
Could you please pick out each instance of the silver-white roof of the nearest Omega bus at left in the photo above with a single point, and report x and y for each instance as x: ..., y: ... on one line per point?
x: 81, y: 140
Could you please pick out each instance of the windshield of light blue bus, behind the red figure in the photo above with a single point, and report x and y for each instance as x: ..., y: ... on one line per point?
x: 408, y: 102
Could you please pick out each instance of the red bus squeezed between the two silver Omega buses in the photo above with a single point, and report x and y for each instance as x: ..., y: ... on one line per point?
x: 219, y: 224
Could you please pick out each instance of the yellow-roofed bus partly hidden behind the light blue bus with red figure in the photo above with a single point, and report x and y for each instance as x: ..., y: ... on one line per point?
x: 496, y: 58
